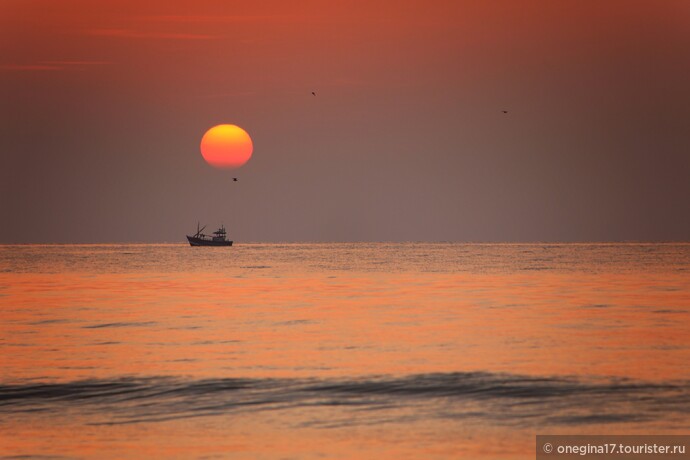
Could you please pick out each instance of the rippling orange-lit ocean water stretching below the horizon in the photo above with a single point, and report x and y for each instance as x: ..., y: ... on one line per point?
x: 385, y: 351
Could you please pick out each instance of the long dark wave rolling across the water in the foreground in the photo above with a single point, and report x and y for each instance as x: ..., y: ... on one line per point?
x: 492, y: 397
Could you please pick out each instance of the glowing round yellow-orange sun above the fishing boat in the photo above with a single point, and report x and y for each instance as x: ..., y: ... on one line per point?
x: 226, y: 146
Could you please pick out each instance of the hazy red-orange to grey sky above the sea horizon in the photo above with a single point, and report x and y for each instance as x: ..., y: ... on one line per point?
x: 103, y: 106
